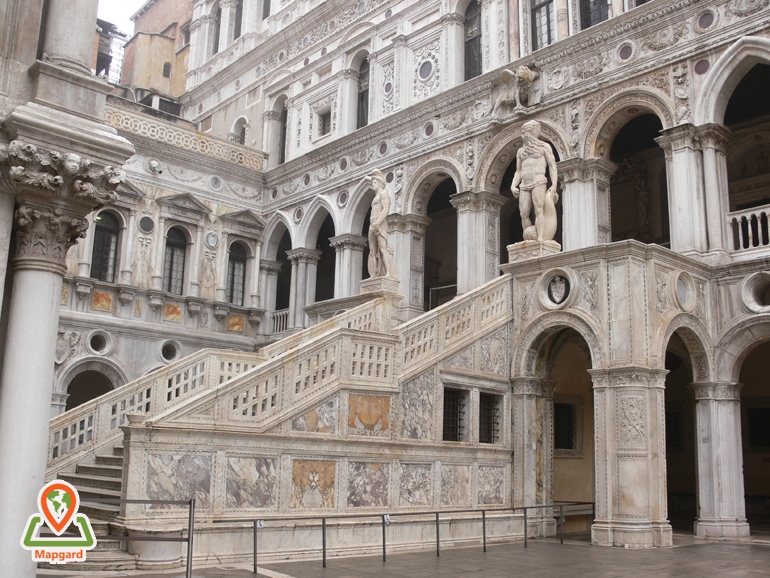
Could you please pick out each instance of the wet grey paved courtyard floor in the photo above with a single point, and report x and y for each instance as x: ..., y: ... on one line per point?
x: 543, y: 558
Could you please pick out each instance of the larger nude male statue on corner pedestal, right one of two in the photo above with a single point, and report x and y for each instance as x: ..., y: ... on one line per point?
x: 530, y: 183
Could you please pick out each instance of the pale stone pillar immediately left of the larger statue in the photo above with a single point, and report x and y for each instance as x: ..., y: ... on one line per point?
x: 478, y: 225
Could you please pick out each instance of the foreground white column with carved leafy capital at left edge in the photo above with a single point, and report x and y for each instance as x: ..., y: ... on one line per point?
x: 54, y: 193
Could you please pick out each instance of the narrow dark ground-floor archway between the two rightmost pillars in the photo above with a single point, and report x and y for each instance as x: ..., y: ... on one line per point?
x: 681, y: 469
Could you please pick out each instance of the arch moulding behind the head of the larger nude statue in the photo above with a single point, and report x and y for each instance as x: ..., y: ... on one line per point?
x: 501, y: 150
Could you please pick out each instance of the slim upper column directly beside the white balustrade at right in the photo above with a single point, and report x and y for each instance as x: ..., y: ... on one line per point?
x: 713, y: 141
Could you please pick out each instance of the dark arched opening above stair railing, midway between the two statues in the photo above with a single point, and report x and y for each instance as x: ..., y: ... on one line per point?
x: 440, y: 276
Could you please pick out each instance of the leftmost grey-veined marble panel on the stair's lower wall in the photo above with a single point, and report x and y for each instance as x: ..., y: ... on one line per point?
x: 180, y: 477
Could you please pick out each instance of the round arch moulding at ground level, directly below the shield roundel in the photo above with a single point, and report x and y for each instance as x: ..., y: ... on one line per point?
x: 528, y: 352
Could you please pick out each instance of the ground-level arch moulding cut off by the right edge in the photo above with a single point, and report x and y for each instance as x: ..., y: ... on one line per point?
x: 736, y: 343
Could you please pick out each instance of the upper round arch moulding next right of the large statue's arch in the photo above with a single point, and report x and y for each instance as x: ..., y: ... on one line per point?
x: 607, y: 121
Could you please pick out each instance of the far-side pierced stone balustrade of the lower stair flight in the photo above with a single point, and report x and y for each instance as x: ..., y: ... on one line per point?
x: 79, y: 433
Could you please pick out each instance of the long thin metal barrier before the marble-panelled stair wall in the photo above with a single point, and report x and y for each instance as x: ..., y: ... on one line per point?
x: 386, y: 516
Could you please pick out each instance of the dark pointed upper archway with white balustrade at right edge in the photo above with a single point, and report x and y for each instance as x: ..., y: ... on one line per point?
x: 748, y: 159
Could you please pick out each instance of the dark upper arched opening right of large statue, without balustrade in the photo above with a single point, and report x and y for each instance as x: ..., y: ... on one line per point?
x: 639, y: 188
